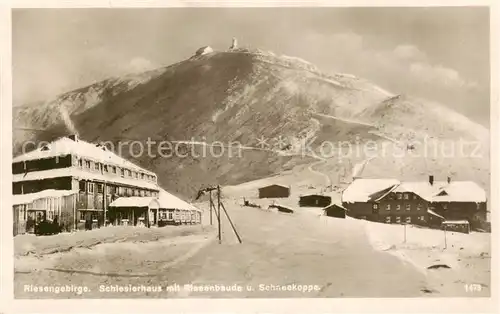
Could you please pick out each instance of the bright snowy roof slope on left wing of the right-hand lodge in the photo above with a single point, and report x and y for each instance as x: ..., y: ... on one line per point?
x: 362, y: 190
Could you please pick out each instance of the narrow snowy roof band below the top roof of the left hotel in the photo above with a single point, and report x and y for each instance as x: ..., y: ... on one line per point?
x: 76, y: 172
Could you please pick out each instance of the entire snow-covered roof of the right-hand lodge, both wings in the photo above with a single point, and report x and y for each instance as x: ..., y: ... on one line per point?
x: 362, y: 190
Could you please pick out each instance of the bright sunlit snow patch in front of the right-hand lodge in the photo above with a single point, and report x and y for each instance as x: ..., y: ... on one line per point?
x: 467, y: 255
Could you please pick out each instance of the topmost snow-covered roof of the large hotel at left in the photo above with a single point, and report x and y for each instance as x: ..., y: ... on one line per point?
x: 67, y: 146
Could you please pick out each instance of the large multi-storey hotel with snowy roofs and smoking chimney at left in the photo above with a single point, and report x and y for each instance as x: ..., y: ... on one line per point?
x: 78, y: 184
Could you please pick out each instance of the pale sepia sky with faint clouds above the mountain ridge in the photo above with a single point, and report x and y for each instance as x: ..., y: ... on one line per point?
x: 436, y: 53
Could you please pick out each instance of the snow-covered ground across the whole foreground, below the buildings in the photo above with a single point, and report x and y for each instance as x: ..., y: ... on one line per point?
x: 339, y: 257
